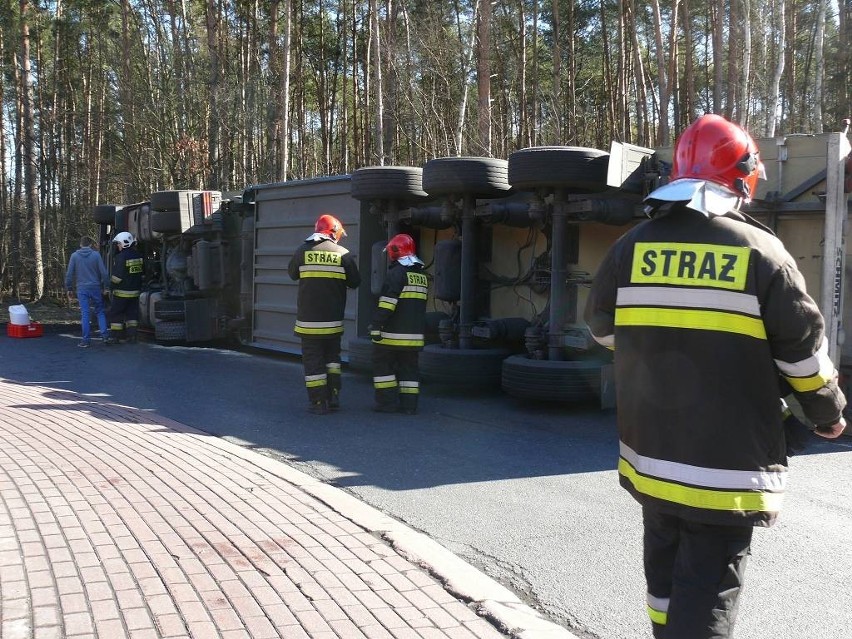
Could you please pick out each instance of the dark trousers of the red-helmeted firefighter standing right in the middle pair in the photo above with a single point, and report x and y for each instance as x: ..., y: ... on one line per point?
x: 396, y: 377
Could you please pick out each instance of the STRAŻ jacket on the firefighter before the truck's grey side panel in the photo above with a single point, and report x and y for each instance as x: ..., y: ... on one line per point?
x: 324, y: 270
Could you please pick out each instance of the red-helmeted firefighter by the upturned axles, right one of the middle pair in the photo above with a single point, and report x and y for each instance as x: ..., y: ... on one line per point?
x: 397, y: 329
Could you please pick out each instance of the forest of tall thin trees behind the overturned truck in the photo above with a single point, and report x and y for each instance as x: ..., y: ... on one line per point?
x: 107, y: 101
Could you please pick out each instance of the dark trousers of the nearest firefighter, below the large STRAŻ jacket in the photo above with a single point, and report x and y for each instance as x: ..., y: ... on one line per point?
x: 694, y: 574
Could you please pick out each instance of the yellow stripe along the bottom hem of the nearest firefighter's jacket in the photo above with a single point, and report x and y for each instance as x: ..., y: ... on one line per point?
x: 734, y: 501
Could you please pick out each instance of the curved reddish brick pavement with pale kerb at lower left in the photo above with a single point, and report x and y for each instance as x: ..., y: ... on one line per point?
x: 116, y: 522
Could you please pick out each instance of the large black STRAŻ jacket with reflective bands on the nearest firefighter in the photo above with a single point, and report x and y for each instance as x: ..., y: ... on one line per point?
x: 703, y: 314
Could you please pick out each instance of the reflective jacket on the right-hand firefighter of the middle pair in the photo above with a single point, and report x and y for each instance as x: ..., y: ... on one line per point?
x: 400, y: 316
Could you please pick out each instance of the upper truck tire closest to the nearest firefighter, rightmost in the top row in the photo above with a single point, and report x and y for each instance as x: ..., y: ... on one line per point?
x: 578, y: 168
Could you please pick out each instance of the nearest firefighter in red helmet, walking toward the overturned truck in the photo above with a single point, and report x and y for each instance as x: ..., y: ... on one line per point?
x: 704, y: 309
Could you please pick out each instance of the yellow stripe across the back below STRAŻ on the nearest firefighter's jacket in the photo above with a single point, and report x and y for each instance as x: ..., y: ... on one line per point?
x: 698, y: 320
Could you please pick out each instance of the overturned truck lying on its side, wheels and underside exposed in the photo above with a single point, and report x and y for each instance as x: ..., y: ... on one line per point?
x: 511, y: 246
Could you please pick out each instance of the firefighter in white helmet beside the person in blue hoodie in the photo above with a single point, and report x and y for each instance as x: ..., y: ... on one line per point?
x: 126, y: 286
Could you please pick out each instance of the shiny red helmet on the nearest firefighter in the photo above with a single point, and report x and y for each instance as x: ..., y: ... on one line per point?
x: 717, y: 150
